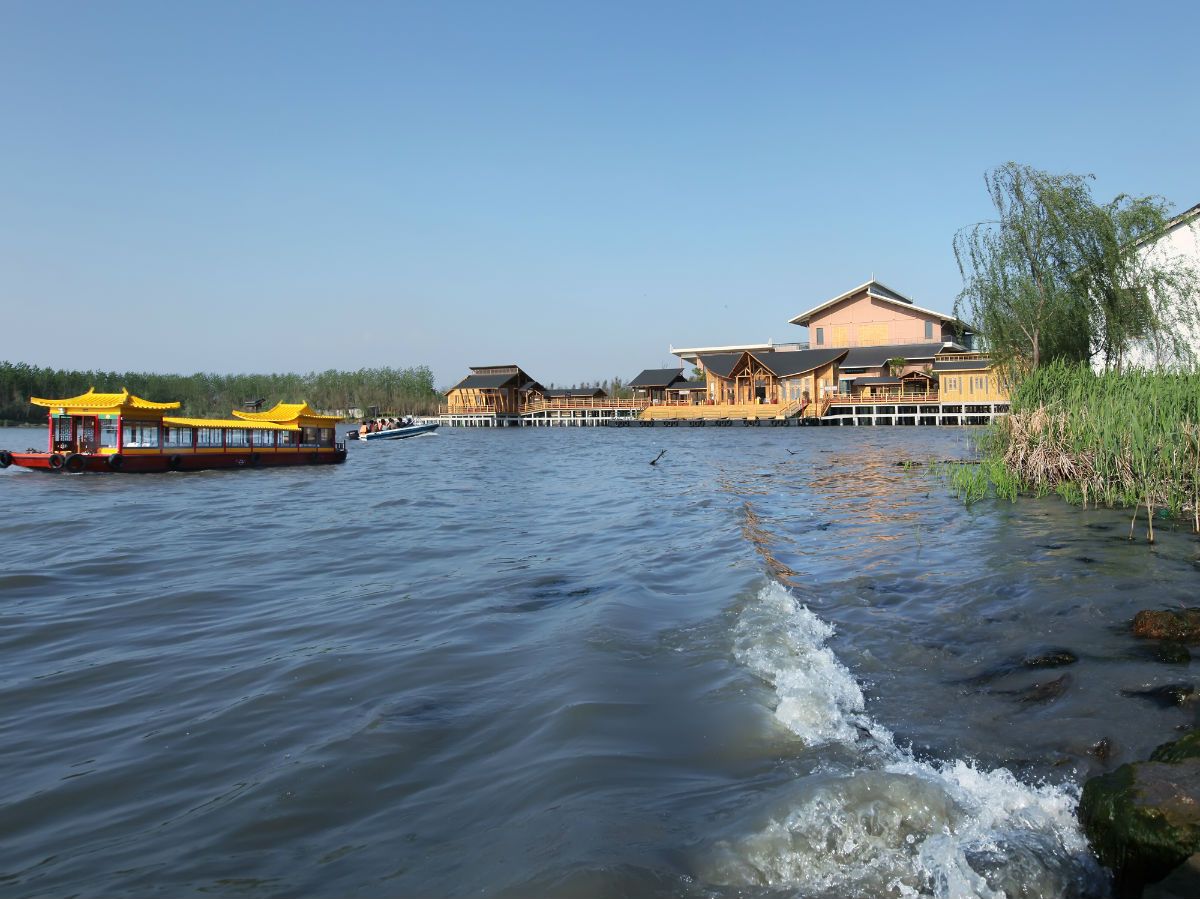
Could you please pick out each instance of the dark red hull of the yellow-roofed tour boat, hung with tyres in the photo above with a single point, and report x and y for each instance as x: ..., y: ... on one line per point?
x: 79, y: 463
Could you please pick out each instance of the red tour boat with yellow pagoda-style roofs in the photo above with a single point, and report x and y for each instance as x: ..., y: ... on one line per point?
x: 122, y: 433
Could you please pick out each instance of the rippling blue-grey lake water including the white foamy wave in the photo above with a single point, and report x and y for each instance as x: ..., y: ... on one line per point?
x: 527, y: 663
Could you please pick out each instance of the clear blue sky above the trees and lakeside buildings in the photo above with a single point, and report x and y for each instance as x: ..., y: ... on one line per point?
x: 268, y: 187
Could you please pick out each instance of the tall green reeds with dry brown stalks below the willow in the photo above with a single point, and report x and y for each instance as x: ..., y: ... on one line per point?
x: 1130, y: 440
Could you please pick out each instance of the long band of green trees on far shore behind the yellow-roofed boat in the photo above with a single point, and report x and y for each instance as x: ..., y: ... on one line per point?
x: 392, y: 391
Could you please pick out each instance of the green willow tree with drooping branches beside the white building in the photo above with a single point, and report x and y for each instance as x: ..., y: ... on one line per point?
x: 1059, y: 277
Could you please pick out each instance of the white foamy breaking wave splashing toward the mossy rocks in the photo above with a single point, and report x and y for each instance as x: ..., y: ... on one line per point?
x: 886, y: 824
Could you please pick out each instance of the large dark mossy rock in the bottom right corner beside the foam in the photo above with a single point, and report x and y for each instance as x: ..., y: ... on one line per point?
x: 1144, y: 820
